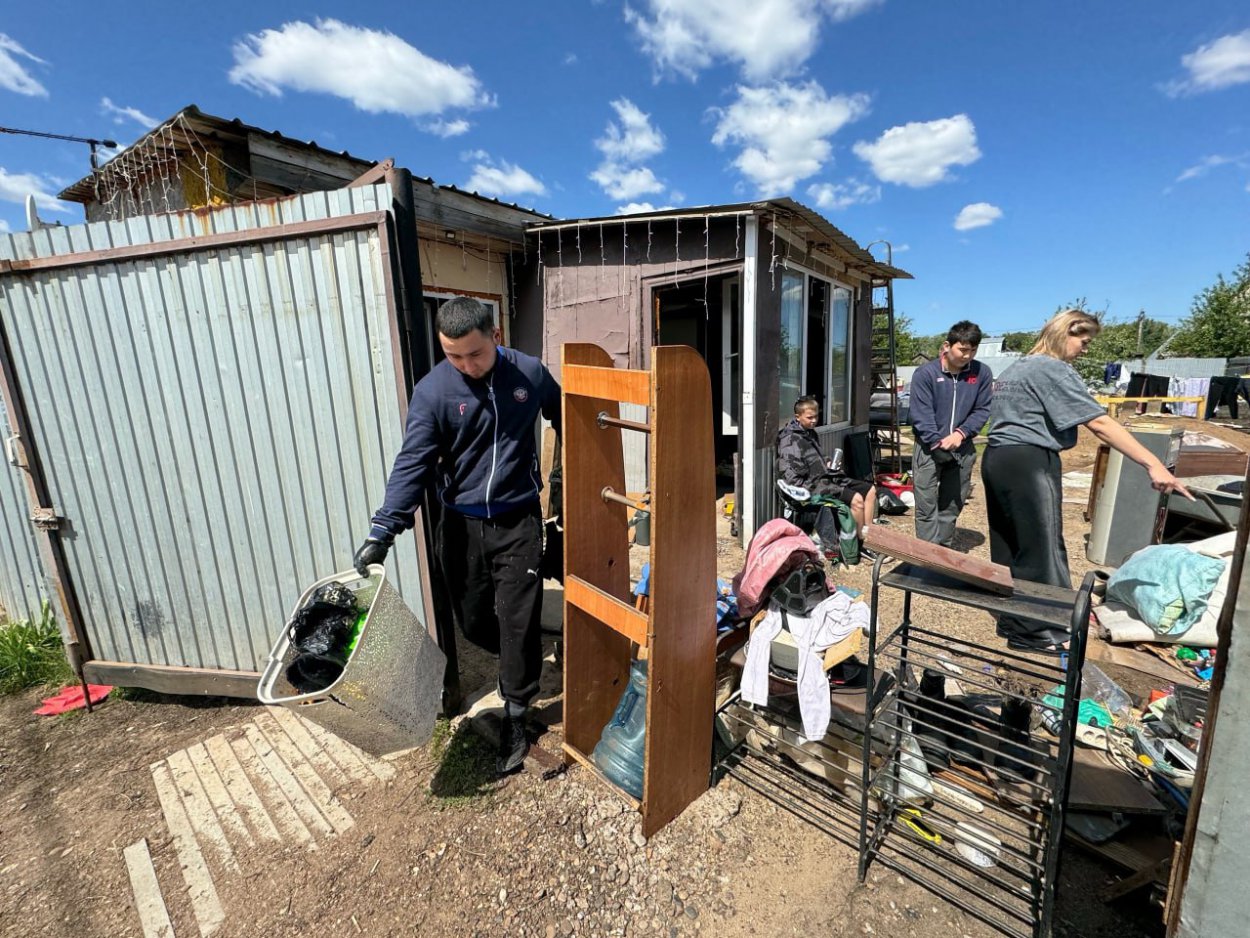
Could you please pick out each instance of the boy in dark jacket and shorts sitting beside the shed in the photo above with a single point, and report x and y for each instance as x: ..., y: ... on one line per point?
x: 801, y: 463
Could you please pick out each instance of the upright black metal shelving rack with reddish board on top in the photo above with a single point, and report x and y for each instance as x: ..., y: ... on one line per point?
x: 1012, y: 789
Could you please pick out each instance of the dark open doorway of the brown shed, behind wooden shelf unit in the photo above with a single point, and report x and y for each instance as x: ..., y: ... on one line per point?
x: 706, y: 315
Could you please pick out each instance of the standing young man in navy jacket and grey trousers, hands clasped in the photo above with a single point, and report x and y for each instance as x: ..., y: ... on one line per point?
x: 951, y: 403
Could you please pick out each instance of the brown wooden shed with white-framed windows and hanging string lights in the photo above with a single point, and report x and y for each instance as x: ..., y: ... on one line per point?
x: 777, y: 301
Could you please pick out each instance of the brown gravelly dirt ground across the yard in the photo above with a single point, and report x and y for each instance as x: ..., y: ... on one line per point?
x: 528, y: 857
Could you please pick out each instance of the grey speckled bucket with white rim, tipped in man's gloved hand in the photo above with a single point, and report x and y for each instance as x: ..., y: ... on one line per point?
x: 391, y: 690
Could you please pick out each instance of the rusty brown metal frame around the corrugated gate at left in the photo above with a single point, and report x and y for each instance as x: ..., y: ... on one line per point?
x: 173, y: 678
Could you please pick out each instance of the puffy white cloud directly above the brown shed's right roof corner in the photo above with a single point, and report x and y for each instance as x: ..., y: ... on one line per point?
x: 783, y: 132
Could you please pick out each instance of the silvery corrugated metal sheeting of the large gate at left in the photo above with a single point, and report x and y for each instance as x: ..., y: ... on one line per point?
x: 217, y: 425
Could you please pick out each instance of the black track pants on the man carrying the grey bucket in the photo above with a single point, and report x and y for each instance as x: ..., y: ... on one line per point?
x: 492, y: 571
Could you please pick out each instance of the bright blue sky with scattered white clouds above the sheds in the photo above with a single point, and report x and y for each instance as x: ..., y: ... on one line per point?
x: 1017, y: 156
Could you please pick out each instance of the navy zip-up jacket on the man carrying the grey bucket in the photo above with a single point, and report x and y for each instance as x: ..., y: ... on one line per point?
x: 474, y: 440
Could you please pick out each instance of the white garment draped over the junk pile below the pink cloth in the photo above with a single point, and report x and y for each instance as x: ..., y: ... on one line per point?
x: 829, y: 623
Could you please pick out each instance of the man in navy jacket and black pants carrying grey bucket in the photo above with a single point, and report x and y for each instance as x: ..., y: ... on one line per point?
x: 472, y: 433
